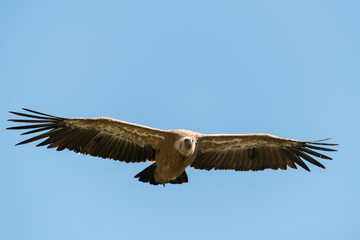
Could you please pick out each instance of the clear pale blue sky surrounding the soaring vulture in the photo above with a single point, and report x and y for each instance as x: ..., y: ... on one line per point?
x: 288, y: 68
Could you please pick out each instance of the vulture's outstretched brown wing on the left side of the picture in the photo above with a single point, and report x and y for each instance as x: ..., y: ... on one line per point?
x: 100, y: 137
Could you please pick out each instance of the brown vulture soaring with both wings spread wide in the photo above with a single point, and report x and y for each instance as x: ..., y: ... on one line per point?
x: 170, y: 151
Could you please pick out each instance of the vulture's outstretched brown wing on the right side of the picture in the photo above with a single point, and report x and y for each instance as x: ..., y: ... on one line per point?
x: 257, y: 152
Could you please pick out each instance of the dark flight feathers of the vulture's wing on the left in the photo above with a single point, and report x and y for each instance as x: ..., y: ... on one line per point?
x: 91, y: 140
